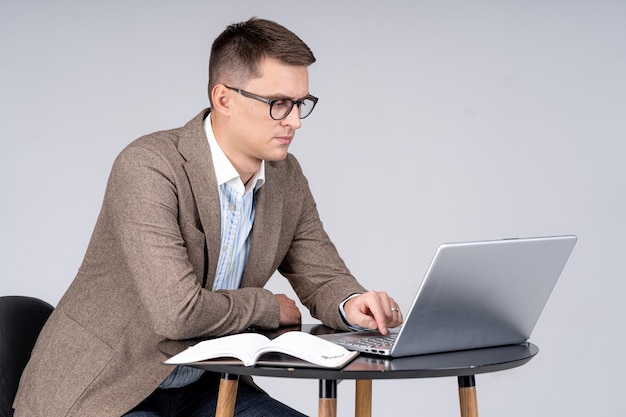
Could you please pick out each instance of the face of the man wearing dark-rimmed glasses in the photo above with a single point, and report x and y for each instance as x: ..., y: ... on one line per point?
x: 255, y: 136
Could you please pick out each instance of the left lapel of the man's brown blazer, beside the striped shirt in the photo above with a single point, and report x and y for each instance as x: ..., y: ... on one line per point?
x: 195, y: 149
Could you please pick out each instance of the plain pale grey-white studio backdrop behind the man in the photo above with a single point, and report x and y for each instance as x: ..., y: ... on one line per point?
x: 437, y: 122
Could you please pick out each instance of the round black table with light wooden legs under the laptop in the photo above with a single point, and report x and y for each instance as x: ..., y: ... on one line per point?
x: 462, y: 364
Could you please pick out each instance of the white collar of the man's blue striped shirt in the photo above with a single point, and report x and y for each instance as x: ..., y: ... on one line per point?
x: 225, y: 172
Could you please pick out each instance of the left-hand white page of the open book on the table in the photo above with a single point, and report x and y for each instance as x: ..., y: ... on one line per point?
x: 241, y: 346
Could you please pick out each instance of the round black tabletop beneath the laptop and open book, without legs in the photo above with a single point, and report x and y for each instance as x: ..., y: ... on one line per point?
x: 458, y: 363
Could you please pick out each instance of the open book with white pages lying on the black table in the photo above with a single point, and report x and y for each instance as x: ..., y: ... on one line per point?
x: 256, y: 349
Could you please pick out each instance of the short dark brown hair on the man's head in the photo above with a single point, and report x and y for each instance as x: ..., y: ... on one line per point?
x: 237, y: 52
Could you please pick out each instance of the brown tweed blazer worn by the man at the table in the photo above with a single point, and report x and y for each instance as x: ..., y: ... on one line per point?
x: 149, y: 269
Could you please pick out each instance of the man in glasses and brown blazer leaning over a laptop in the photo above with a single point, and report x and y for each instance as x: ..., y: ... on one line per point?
x: 194, y: 222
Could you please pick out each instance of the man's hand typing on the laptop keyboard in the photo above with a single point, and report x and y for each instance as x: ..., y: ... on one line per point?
x: 373, y: 310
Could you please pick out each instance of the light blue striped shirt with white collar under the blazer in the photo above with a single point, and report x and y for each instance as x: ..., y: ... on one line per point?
x: 237, y: 209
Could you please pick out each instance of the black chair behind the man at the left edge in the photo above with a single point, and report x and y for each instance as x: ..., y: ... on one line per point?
x: 21, y: 320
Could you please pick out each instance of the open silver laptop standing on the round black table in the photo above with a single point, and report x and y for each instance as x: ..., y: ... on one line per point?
x: 474, y: 295
